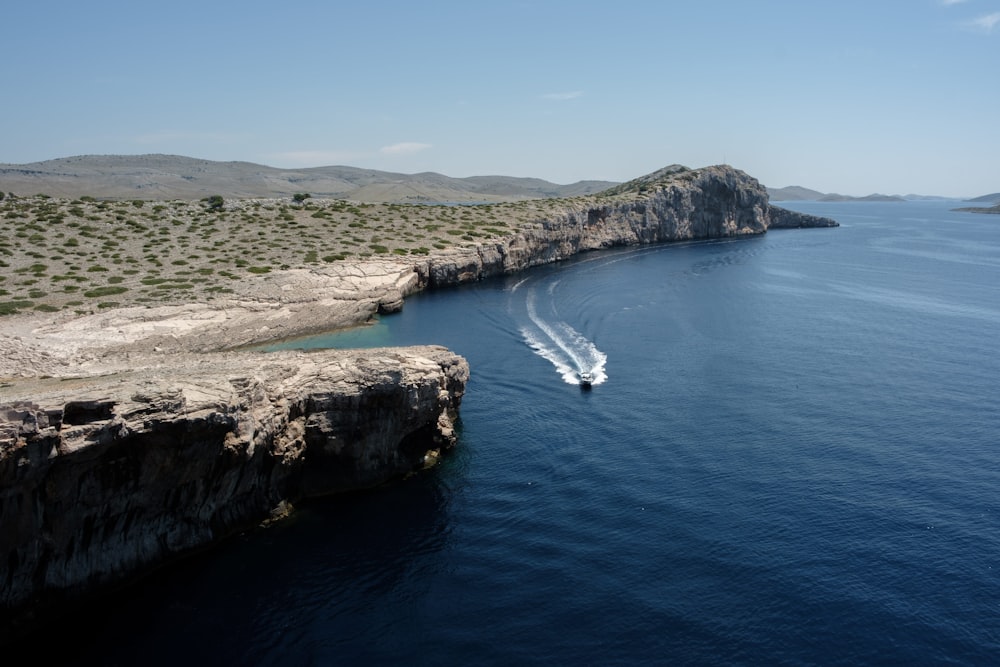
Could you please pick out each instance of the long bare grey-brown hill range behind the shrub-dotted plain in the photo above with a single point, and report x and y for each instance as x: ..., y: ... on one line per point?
x: 167, y: 177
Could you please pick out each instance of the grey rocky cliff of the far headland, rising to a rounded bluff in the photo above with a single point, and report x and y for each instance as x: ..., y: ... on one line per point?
x: 673, y: 204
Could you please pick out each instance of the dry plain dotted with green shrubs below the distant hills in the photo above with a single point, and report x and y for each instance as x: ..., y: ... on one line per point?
x: 84, y: 255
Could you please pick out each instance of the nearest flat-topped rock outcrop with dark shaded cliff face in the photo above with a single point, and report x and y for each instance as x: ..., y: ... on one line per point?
x: 102, y: 478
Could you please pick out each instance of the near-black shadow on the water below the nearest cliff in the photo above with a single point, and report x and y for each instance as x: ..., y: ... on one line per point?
x: 261, y: 596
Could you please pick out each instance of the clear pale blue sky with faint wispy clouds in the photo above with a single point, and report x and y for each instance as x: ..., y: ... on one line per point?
x: 853, y: 97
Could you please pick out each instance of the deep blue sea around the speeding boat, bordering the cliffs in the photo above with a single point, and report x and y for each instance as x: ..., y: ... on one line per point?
x: 790, y: 457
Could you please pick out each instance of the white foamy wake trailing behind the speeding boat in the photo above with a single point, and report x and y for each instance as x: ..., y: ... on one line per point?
x: 556, y: 341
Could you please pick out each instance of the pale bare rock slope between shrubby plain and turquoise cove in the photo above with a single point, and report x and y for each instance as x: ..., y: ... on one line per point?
x: 281, y: 305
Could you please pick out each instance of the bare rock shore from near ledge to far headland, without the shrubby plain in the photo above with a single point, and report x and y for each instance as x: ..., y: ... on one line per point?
x: 132, y: 436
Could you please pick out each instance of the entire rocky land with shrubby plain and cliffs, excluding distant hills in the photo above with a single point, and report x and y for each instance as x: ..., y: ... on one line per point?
x: 133, y: 428
